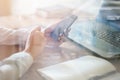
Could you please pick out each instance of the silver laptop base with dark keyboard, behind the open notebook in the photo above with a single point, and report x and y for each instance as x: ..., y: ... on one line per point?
x: 100, y: 37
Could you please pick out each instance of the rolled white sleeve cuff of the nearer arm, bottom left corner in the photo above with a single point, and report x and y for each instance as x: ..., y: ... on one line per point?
x: 15, y: 66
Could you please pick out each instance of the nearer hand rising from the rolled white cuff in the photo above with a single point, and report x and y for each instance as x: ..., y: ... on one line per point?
x: 35, y: 42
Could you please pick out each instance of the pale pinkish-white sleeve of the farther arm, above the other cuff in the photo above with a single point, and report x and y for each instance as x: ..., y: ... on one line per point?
x: 12, y: 37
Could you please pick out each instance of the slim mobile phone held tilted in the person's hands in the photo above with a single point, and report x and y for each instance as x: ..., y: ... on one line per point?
x: 62, y: 27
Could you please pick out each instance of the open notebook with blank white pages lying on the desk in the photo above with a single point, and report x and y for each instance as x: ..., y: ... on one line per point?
x: 83, y: 68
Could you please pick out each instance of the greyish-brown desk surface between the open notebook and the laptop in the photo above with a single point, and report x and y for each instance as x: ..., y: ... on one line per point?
x: 51, y: 57
